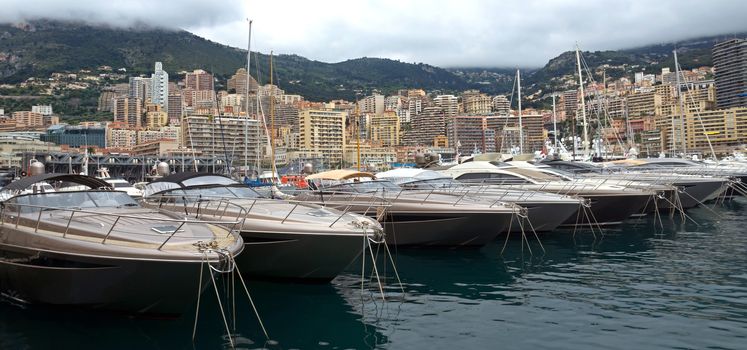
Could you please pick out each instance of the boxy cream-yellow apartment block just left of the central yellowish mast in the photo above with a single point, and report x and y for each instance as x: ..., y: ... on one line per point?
x: 323, y: 131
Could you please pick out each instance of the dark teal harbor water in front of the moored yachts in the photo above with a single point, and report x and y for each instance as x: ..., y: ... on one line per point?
x: 646, y: 284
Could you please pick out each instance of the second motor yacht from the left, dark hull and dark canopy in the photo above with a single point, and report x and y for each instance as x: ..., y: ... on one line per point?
x: 283, y: 240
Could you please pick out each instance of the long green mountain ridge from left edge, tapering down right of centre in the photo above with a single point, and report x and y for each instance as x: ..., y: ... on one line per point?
x: 41, y: 47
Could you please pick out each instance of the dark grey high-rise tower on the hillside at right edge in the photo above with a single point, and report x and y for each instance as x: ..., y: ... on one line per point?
x: 730, y: 66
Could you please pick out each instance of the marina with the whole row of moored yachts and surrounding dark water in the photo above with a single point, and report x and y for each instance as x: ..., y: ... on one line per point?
x: 399, y: 259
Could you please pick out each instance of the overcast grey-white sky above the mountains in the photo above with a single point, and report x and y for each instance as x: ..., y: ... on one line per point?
x: 504, y: 33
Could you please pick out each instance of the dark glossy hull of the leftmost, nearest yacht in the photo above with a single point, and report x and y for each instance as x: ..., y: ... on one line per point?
x: 134, y: 286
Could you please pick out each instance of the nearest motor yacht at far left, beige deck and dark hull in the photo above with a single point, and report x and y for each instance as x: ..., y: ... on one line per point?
x: 99, y: 248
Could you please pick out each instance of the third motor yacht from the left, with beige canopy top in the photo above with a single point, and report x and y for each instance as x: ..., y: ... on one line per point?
x: 418, y: 217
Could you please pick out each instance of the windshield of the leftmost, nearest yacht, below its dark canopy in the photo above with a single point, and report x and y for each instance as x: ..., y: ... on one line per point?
x: 69, y: 200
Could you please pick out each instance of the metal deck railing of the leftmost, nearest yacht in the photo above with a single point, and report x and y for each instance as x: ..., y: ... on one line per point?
x: 13, y: 211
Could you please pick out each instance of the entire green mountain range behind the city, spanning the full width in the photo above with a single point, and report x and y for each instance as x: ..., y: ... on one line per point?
x: 38, y: 48
